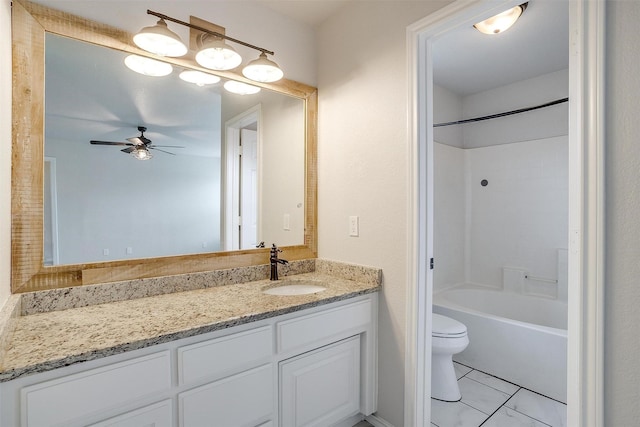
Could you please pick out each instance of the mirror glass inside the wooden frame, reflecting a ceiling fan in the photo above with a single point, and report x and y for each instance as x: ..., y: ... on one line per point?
x: 196, y: 194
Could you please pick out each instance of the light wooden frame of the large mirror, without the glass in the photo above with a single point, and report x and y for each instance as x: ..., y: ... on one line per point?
x: 31, y: 23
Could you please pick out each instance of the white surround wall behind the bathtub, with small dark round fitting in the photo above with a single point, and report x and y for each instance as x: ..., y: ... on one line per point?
x: 520, y: 218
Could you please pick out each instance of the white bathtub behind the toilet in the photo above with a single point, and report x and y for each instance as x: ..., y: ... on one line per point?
x: 519, y: 338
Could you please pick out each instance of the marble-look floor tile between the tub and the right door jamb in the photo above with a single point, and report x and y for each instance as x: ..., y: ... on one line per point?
x: 541, y: 408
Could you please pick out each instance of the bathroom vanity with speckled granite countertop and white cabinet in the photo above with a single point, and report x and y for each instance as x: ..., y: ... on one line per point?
x: 226, y: 356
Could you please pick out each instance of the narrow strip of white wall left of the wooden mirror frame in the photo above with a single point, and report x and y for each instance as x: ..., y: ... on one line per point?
x: 5, y: 150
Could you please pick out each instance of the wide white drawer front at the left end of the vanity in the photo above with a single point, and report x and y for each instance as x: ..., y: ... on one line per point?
x: 65, y: 399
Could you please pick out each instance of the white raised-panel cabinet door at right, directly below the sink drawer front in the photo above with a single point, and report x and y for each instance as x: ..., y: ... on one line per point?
x: 321, y: 387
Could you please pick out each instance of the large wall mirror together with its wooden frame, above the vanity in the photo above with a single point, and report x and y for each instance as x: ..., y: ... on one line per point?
x: 40, y: 167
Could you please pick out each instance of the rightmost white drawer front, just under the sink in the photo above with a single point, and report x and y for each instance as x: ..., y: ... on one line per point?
x: 331, y: 324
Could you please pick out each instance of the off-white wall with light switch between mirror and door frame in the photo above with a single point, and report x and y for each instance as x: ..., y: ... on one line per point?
x: 363, y: 157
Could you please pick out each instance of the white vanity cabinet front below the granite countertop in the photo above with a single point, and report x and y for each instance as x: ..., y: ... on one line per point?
x: 314, y: 367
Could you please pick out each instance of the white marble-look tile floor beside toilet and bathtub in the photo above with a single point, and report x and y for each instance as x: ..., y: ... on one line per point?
x: 491, y: 402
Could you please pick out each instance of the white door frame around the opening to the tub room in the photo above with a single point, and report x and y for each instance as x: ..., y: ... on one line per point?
x: 586, y: 205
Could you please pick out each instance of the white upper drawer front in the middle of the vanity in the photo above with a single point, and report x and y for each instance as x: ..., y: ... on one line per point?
x: 224, y: 356
